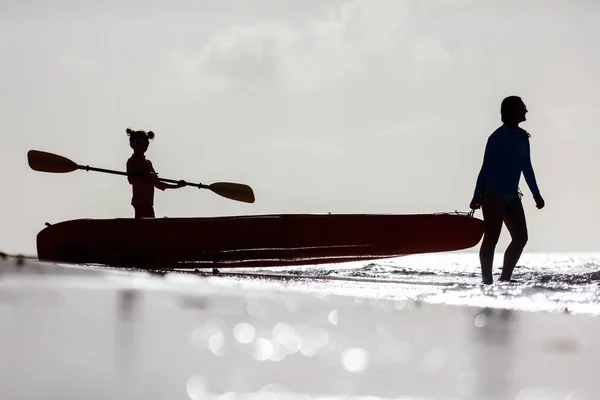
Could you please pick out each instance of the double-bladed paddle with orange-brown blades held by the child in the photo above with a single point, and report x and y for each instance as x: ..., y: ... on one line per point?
x: 48, y: 162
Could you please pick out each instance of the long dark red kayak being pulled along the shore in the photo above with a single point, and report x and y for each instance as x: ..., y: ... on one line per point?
x: 254, y: 240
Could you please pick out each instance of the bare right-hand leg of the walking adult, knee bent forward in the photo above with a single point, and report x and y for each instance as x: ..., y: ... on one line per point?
x: 517, y: 226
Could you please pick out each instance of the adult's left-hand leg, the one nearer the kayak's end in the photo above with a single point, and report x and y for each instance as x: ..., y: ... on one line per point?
x: 493, y: 207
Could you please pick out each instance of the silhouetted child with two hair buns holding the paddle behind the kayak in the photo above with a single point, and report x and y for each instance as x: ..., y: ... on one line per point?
x: 143, y: 179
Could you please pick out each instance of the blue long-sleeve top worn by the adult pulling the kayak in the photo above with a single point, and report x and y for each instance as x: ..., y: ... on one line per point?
x: 507, y: 155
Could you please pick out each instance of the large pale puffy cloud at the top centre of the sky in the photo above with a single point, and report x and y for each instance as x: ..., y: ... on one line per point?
x: 350, y: 42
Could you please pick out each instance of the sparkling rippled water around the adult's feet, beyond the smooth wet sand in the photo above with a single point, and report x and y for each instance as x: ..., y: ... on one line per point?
x: 564, y: 282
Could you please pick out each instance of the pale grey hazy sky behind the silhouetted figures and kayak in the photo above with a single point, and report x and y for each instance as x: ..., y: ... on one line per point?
x: 354, y: 106
